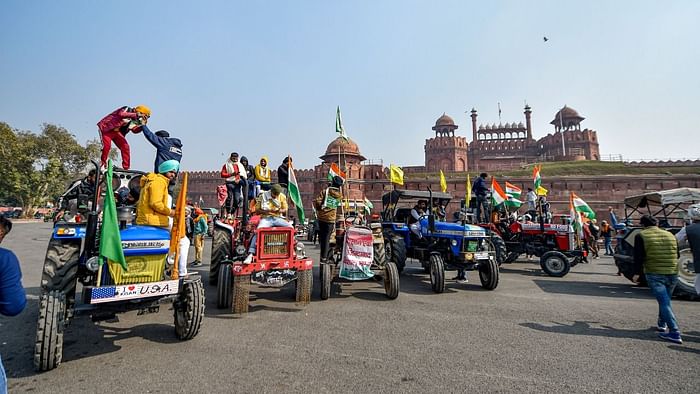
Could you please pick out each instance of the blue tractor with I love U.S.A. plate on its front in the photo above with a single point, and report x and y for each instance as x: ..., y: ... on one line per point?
x: 74, y: 282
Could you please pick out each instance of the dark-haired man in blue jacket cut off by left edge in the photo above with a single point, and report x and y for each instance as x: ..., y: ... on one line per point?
x: 12, y: 296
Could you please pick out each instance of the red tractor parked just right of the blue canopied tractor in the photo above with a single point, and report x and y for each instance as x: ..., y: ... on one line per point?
x: 555, y: 244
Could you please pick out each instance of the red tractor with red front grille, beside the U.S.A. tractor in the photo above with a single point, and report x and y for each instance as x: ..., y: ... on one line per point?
x: 279, y: 259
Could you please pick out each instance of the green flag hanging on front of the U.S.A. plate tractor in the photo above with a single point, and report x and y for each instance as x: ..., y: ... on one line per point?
x: 110, y: 240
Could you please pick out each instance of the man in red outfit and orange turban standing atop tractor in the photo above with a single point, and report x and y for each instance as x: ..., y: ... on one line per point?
x: 115, y: 127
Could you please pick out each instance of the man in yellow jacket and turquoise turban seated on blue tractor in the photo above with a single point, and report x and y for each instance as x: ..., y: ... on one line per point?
x: 154, y: 206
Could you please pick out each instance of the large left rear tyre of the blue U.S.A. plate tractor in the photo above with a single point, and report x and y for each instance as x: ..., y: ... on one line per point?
x: 61, y: 270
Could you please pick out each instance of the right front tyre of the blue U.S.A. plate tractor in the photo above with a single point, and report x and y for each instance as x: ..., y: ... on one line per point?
x: 188, y: 310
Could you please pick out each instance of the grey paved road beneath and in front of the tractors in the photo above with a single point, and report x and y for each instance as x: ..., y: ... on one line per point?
x: 590, y: 331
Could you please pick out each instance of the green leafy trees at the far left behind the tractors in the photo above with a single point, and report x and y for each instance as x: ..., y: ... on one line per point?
x: 36, y: 168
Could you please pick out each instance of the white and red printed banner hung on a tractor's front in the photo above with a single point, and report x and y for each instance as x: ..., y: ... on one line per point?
x: 356, y: 263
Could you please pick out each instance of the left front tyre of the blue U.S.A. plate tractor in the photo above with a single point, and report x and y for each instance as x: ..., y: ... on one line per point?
x: 48, y: 348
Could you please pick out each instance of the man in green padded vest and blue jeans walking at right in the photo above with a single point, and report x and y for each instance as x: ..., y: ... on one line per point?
x: 656, y: 250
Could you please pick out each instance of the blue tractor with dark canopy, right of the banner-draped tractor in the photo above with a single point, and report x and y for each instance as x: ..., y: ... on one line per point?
x: 441, y: 245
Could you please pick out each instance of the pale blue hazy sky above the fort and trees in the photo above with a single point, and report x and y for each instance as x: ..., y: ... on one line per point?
x: 264, y: 77
